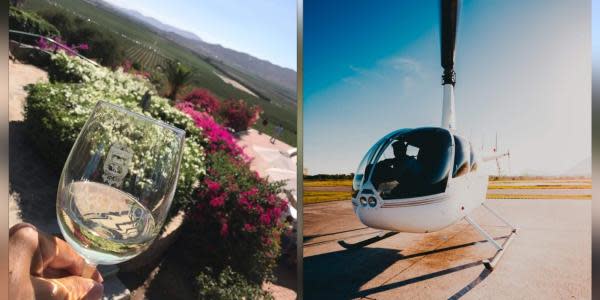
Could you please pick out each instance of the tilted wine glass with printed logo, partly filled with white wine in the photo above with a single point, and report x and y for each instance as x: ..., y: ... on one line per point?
x: 117, y: 184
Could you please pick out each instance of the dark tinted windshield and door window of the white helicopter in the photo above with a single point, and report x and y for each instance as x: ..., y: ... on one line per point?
x: 412, y: 163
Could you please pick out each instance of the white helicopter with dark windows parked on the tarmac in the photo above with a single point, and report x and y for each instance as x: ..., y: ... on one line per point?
x: 425, y: 179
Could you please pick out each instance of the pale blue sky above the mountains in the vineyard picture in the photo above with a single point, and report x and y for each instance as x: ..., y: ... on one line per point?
x: 264, y: 28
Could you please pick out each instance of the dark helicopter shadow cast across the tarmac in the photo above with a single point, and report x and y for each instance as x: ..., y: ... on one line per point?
x: 341, y: 274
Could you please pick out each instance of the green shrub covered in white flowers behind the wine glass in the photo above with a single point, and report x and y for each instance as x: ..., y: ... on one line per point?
x: 55, y: 113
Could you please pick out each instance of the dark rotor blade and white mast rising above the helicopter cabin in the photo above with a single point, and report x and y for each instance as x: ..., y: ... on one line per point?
x: 448, y: 24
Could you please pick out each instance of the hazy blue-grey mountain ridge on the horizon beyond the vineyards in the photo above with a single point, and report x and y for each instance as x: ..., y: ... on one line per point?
x: 281, y: 76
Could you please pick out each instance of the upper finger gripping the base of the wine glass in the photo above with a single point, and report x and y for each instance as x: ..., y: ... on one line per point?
x: 57, y: 254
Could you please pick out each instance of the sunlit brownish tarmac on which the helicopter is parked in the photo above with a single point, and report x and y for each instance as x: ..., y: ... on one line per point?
x: 550, y: 258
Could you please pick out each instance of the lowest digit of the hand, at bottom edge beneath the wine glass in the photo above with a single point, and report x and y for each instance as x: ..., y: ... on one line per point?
x: 71, y: 288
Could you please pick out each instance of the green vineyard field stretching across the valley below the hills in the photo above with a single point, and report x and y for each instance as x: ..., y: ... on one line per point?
x: 149, y: 48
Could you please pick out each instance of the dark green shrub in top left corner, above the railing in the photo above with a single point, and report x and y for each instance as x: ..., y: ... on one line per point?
x: 29, y: 22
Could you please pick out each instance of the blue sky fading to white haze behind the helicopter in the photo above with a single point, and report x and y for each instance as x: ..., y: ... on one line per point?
x: 523, y: 71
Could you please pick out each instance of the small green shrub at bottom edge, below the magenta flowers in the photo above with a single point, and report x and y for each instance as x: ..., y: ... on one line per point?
x: 227, y: 285
